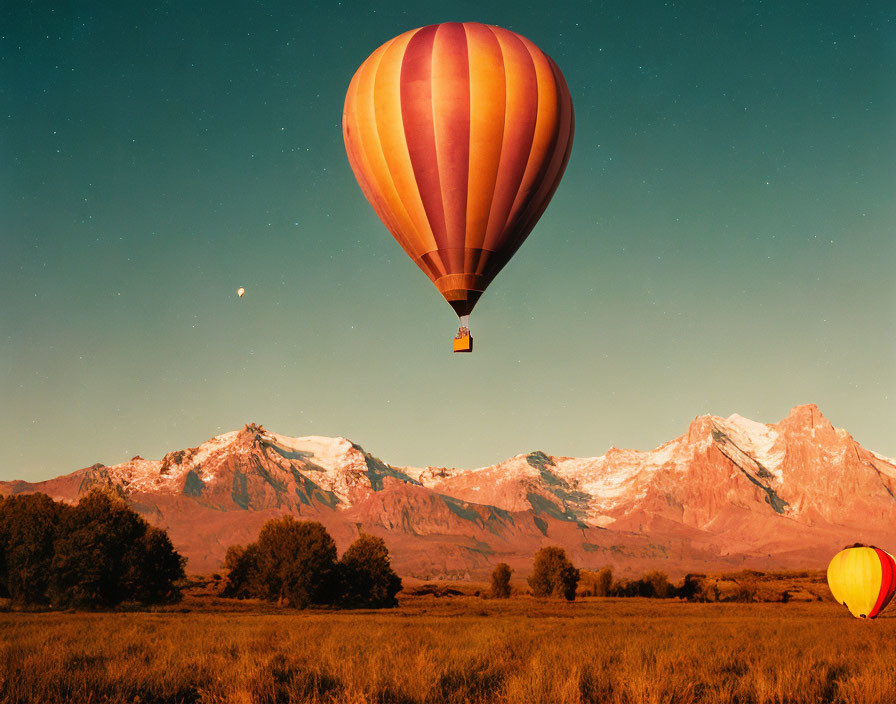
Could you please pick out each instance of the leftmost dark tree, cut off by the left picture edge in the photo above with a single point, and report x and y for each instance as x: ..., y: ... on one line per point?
x: 29, y: 527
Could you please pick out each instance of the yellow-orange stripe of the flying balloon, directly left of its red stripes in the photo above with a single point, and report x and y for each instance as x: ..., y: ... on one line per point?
x: 386, y: 103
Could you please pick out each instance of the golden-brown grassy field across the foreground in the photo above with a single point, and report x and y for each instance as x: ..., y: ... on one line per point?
x: 459, y: 649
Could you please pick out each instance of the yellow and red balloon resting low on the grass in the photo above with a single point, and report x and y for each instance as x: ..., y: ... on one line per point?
x: 863, y: 578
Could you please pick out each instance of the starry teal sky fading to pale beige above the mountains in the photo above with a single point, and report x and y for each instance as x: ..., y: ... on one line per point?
x: 722, y: 241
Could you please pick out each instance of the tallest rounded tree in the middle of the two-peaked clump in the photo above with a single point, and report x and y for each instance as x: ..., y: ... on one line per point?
x: 297, y: 562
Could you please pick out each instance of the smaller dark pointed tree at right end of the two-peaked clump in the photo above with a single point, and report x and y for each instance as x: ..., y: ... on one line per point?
x: 366, y: 576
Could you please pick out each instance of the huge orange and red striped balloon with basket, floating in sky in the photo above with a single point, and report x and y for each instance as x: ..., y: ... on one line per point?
x: 458, y: 134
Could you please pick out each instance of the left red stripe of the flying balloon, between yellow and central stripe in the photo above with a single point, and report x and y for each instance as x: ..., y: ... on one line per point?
x: 419, y: 127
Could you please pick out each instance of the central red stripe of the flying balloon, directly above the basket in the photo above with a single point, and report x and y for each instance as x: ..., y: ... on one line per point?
x: 451, y: 122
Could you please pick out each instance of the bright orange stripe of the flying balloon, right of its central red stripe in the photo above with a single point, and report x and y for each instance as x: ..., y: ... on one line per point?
x: 487, y: 103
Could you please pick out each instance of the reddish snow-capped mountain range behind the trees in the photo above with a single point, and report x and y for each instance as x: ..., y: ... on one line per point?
x: 728, y: 493
